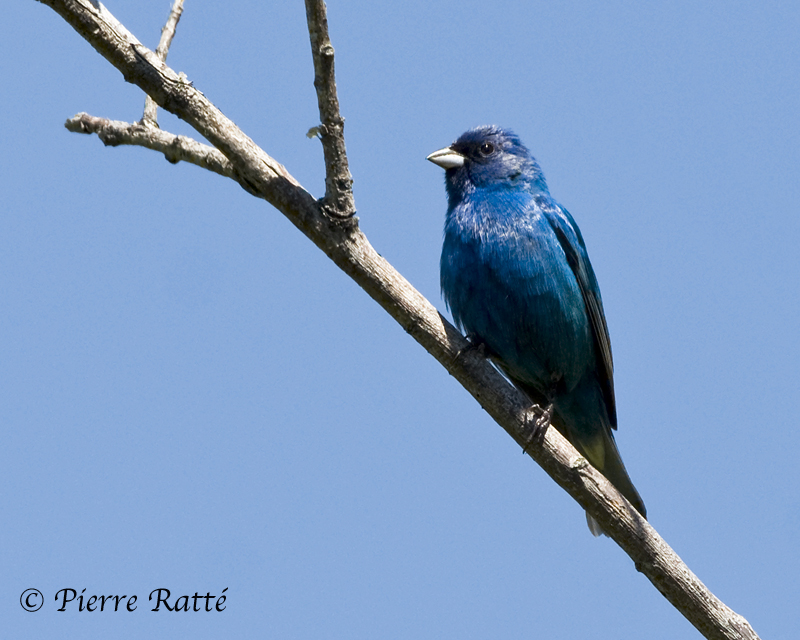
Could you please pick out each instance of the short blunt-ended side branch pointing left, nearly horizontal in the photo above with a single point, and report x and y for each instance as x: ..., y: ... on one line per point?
x: 175, y: 148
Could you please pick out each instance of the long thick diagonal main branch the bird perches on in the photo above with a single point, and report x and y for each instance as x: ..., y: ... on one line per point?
x: 344, y: 243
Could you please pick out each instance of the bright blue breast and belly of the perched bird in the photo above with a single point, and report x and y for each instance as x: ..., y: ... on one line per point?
x: 510, y: 285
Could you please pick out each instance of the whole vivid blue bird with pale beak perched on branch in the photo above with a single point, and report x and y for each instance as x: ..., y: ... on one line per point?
x: 517, y: 278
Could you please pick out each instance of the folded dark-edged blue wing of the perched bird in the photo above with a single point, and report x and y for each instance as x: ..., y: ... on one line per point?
x: 571, y: 241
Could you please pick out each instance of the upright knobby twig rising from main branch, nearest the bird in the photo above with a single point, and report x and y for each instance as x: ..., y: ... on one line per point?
x: 338, y: 201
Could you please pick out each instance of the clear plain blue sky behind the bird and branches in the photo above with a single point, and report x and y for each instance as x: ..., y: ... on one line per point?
x: 193, y: 397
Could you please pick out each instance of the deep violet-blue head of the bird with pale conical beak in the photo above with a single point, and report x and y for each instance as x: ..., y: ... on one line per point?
x: 488, y: 157
